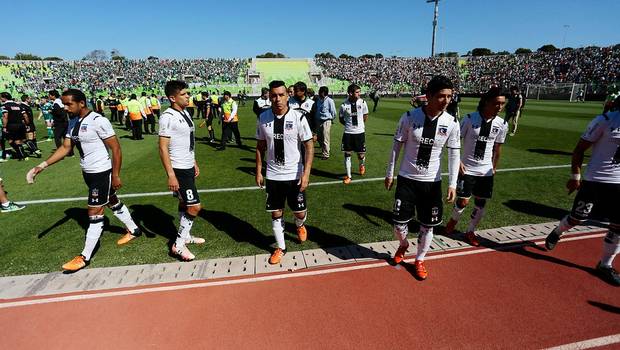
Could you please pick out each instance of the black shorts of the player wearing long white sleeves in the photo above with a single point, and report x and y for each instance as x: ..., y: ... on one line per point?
x: 423, y: 197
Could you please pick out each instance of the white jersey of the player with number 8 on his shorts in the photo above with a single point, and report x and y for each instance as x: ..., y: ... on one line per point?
x: 178, y: 126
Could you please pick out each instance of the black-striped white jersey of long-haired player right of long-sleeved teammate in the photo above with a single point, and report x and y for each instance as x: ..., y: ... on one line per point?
x: 479, y: 138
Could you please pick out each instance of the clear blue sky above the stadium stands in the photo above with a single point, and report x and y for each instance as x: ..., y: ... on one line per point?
x: 72, y: 28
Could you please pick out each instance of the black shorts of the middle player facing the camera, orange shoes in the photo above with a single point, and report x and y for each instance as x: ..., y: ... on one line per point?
x: 287, y: 190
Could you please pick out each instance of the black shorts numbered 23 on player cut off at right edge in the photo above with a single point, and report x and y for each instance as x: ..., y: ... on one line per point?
x: 597, y: 199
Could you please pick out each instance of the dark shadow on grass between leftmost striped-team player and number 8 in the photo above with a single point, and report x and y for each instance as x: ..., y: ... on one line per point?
x: 154, y: 221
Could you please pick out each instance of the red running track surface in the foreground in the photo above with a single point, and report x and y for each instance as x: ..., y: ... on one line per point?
x: 524, y: 298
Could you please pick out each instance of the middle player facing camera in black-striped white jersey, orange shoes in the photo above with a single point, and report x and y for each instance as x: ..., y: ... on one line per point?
x: 280, y: 133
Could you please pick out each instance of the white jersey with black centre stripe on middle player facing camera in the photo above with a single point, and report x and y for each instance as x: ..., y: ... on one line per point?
x: 284, y: 136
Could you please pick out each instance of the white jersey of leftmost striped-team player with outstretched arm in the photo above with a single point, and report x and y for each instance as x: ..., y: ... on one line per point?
x: 87, y: 134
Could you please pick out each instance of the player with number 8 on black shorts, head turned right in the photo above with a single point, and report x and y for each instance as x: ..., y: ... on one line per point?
x: 176, y: 150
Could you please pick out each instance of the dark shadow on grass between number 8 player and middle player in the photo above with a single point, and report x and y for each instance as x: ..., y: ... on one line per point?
x: 237, y: 229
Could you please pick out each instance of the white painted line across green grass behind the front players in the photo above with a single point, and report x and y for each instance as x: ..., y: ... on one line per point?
x: 255, y: 188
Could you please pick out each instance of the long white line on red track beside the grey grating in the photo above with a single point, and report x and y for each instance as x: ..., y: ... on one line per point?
x: 98, y: 295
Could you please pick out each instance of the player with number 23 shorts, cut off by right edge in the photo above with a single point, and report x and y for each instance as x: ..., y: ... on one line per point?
x: 600, y: 188
